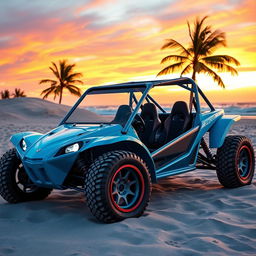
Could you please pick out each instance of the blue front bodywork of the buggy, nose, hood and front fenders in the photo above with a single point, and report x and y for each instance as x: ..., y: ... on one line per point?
x: 46, y: 168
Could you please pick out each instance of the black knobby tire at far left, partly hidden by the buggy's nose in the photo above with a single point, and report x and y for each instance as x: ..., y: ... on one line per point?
x: 10, y: 164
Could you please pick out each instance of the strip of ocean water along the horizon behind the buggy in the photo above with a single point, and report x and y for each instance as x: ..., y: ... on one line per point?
x: 243, y: 109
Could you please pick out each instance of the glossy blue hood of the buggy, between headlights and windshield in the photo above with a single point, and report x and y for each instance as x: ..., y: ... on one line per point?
x: 64, y: 135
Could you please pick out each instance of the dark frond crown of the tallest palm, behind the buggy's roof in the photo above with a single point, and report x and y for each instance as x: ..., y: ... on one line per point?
x: 197, y: 57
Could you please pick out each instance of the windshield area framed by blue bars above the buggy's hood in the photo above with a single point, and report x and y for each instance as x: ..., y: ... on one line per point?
x: 110, y: 106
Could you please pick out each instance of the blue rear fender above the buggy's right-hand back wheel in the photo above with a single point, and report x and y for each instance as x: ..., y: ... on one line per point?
x: 220, y: 130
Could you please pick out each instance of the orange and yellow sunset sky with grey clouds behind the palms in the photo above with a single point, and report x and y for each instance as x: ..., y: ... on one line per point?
x: 115, y: 41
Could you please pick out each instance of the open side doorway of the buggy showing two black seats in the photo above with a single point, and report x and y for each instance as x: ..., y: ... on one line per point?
x: 168, y: 112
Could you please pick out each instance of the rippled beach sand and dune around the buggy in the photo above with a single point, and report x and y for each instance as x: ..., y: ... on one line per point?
x: 189, y: 214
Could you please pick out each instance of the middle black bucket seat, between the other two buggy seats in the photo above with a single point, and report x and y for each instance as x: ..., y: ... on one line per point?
x: 152, y: 123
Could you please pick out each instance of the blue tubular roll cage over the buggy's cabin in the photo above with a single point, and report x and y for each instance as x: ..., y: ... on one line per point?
x: 145, y: 87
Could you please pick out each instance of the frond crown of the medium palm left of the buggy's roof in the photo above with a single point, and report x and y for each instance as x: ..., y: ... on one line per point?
x: 66, y: 78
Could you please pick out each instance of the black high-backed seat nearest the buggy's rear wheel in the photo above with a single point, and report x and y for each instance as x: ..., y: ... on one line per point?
x: 177, y: 122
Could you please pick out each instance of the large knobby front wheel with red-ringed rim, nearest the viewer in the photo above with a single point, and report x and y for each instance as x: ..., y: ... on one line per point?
x: 106, y: 174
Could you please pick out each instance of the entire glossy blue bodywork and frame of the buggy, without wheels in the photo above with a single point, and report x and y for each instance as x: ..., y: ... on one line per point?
x: 48, y: 166
